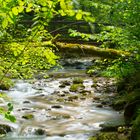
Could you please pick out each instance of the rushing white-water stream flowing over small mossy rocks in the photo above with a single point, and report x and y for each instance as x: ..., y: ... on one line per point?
x: 46, y: 109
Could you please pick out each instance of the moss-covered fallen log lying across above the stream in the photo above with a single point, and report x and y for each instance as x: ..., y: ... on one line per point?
x: 87, y: 50
